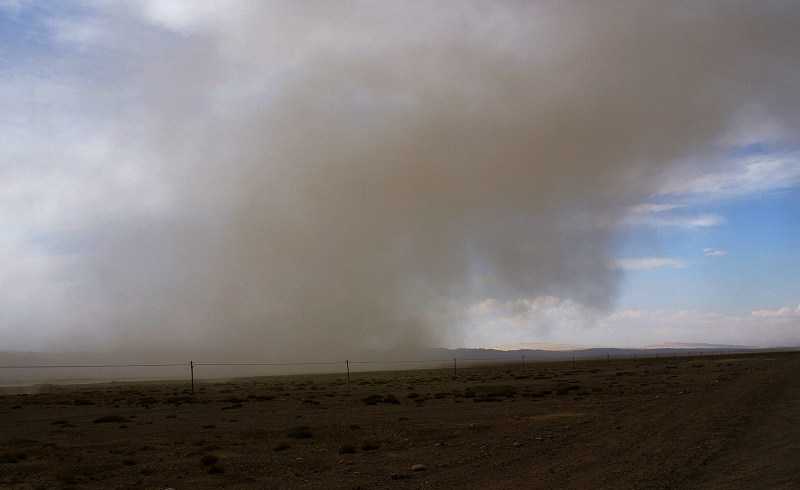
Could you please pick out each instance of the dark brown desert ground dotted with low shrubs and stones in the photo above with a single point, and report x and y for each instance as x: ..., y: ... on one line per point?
x: 718, y: 422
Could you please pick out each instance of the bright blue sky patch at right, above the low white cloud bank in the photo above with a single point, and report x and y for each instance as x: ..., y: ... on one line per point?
x: 754, y: 266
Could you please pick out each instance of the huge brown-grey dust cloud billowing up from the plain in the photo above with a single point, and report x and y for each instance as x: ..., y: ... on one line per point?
x: 353, y: 176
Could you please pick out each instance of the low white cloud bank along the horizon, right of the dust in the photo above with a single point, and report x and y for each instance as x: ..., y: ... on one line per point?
x: 567, y: 322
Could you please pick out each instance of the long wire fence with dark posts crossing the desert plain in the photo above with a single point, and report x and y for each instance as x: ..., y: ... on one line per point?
x: 78, y: 373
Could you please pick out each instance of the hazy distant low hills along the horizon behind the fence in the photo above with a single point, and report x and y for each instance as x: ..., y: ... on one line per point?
x: 28, y: 368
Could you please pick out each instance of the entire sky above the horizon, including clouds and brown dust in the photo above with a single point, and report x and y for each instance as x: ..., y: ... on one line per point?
x: 304, y: 180
